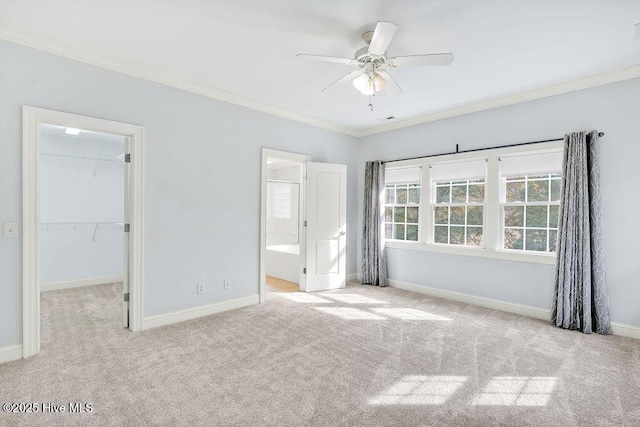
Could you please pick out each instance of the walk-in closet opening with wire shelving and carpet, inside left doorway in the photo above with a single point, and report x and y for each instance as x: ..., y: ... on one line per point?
x: 83, y: 232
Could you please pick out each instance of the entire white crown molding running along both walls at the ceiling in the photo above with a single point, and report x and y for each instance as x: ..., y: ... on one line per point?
x: 56, y: 47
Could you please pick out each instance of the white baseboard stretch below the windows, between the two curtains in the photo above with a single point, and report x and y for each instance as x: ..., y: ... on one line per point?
x: 525, y: 310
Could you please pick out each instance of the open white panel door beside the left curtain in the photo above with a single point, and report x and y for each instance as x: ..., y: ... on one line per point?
x: 326, y: 216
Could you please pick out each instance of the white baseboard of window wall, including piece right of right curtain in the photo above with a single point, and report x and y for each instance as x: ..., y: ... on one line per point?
x: 619, y: 329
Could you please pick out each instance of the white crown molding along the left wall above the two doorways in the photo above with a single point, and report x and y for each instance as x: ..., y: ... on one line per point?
x: 56, y: 47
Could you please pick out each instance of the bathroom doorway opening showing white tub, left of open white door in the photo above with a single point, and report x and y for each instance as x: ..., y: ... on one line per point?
x: 284, y: 224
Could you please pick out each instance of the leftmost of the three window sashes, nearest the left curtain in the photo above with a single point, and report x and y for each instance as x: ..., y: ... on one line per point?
x: 402, y: 204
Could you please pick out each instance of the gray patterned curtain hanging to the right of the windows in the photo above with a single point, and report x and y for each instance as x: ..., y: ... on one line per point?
x: 580, y: 299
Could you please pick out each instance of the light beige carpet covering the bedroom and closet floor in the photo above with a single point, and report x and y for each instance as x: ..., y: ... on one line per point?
x: 357, y: 356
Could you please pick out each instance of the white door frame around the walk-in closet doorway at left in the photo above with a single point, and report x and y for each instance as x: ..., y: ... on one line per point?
x: 32, y: 117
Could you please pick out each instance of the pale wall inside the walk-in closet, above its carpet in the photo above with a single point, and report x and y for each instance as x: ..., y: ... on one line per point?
x: 75, y: 189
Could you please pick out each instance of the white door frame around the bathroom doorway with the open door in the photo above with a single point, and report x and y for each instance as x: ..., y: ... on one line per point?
x: 301, y: 158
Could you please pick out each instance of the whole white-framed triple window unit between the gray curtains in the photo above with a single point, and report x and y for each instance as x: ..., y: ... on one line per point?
x: 500, y: 203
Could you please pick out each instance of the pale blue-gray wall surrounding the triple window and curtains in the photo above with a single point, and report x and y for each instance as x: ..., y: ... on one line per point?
x: 613, y: 109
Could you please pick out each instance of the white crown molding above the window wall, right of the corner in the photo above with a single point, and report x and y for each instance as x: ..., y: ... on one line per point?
x: 595, y: 80
